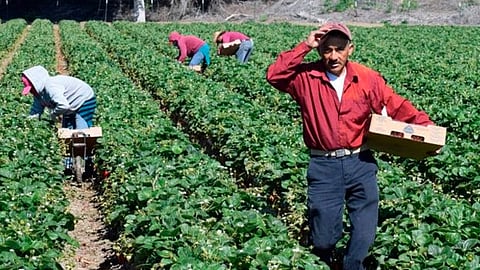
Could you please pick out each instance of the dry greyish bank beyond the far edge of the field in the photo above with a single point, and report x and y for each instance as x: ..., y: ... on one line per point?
x: 367, y: 12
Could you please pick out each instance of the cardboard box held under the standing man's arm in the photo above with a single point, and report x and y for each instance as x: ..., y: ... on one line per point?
x: 403, y: 139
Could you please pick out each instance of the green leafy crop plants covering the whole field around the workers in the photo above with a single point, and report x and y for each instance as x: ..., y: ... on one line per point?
x: 207, y: 171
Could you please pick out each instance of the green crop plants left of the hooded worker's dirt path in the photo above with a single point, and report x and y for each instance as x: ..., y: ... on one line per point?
x: 32, y: 203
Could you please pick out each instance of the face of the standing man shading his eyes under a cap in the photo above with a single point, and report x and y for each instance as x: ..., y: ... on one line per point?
x: 335, y: 51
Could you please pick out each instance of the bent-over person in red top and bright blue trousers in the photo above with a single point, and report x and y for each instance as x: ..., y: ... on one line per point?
x: 191, y: 46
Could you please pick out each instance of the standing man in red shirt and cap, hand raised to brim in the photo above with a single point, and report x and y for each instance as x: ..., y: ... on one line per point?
x: 336, y: 98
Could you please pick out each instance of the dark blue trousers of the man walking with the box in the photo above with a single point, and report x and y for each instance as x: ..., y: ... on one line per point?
x: 331, y: 183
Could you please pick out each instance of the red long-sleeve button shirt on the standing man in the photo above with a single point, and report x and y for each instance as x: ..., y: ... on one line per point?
x: 329, y: 124
